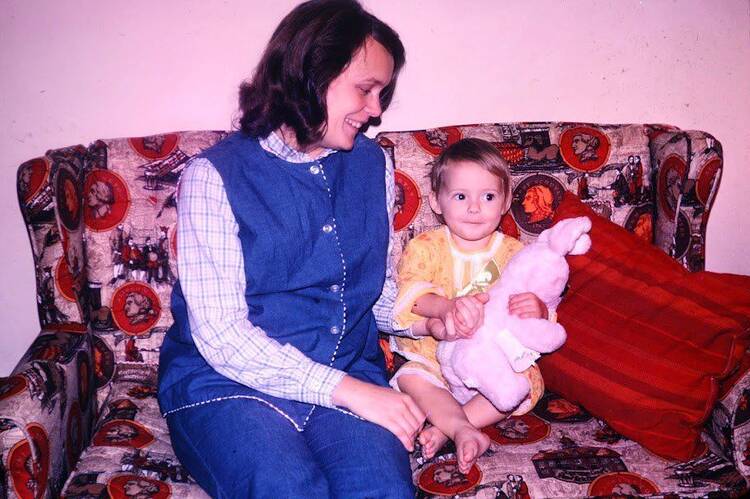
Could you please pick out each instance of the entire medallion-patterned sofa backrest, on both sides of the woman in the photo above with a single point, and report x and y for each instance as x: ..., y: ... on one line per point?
x: 101, y: 219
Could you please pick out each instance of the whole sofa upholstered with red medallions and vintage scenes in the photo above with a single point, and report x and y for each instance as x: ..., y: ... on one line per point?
x: 79, y: 417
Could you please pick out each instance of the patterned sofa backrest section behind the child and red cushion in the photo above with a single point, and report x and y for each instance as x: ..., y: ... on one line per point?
x: 655, y: 180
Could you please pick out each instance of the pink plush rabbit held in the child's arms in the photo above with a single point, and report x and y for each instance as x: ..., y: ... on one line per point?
x: 505, y: 345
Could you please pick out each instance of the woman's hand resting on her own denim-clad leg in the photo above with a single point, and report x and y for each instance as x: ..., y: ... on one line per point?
x: 395, y: 411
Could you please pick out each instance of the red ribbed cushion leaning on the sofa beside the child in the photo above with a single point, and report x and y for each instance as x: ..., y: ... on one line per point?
x: 649, y: 343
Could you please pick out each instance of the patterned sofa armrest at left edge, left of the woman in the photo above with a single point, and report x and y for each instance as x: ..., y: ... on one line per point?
x: 46, y: 414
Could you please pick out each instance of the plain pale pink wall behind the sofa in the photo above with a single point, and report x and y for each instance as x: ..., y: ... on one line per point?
x: 79, y: 70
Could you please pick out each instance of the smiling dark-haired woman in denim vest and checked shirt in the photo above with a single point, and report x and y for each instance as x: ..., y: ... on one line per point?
x: 271, y: 378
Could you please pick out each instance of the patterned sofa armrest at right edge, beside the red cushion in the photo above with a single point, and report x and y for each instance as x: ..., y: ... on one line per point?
x: 729, y: 424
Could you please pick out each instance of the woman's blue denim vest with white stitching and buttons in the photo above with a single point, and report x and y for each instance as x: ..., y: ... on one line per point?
x: 314, y: 239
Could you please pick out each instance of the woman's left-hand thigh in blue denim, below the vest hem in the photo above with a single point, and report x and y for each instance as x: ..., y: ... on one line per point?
x: 238, y: 448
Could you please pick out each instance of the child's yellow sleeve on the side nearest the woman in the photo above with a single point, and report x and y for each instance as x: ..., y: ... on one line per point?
x: 416, y: 278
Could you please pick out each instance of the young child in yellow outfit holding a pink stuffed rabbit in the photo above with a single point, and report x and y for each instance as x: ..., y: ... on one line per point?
x: 443, y: 274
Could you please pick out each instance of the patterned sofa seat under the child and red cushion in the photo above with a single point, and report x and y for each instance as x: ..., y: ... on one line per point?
x: 559, y: 450
